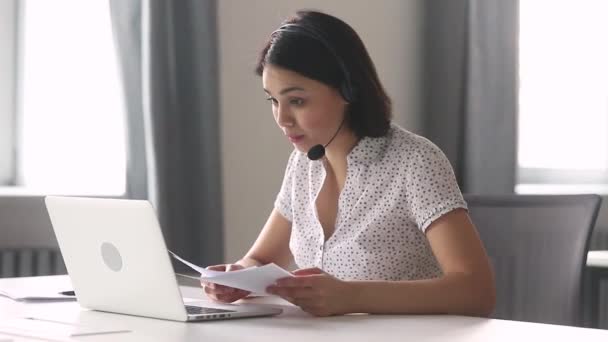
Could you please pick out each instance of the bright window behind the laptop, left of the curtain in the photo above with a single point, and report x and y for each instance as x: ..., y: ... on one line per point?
x: 70, y: 113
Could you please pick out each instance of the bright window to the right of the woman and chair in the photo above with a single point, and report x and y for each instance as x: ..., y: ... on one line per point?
x: 563, y: 97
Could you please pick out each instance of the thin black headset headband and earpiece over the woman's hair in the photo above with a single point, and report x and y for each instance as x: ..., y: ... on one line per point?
x: 346, y: 88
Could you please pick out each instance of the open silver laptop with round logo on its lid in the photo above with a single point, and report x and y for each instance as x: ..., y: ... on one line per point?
x: 116, y: 257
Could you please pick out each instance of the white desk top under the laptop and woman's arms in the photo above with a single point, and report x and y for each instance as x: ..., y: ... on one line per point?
x: 292, y: 325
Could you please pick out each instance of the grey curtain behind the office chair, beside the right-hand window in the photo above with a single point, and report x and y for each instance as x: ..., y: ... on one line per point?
x: 470, y: 75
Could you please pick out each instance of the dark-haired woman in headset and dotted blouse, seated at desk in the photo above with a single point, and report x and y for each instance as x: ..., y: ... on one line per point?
x: 373, y: 217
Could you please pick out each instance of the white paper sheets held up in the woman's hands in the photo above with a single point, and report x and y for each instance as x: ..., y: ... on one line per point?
x: 253, y: 279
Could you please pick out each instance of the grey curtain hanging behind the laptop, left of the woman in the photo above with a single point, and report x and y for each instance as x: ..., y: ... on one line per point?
x: 168, y: 54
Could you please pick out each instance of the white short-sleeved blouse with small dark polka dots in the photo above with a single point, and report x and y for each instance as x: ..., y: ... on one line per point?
x: 396, y: 186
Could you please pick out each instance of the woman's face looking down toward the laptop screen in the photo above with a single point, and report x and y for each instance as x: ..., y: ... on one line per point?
x: 307, y: 111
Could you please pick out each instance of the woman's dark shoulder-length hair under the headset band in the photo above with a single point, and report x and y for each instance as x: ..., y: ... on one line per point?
x: 369, y: 113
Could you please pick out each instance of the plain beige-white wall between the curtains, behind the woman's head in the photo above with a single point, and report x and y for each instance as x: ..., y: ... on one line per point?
x: 254, y: 152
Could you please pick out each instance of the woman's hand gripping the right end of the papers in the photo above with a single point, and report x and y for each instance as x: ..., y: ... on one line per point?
x: 315, y: 291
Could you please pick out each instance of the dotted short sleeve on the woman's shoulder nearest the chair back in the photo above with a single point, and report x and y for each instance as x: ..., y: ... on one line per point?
x: 432, y: 190
